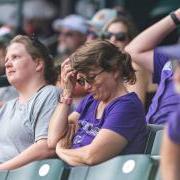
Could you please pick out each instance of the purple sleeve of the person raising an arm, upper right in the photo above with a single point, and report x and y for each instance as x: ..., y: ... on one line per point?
x: 160, y: 60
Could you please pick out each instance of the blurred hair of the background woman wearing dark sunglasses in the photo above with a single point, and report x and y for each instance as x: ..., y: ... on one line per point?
x: 131, y: 28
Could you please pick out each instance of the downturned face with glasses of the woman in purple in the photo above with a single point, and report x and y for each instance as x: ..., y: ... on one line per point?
x: 98, y: 82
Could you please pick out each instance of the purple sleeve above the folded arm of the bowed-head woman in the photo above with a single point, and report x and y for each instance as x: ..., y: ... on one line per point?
x: 125, y: 119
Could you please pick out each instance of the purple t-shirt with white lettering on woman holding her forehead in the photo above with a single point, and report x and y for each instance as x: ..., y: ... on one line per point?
x: 124, y: 115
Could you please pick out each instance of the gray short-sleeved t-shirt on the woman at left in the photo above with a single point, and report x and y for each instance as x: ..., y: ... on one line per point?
x: 21, y: 125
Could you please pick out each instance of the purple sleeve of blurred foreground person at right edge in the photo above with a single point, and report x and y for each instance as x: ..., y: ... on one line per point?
x: 174, y: 126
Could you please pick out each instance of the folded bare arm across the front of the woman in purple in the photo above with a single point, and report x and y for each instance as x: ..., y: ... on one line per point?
x: 106, y: 145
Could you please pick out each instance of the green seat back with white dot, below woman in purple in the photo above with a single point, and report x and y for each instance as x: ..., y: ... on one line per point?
x: 125, y: 167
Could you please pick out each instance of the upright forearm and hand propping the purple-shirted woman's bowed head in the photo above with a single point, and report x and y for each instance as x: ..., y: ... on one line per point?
x: 59, y: 122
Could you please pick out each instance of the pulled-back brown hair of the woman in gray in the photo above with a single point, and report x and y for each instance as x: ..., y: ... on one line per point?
x: 37, y: 50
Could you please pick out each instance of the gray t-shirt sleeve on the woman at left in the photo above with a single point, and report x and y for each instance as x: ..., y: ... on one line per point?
x: 44, y: 107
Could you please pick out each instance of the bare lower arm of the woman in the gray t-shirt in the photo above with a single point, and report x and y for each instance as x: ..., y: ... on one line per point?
x: 37, y: 151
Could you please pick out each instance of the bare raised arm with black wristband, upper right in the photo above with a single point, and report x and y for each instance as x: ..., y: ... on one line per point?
x: 141, y: 48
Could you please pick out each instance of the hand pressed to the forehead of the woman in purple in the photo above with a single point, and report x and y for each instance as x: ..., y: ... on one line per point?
x: 68, y: 78
